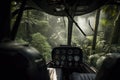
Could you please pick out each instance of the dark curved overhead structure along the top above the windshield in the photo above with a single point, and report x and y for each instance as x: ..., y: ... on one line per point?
x: 58, y: 7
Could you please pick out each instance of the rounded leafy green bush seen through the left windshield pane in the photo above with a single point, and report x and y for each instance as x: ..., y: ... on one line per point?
x: 40, y: 43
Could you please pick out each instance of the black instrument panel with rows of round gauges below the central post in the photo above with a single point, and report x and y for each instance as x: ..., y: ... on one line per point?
x: 67, y: 57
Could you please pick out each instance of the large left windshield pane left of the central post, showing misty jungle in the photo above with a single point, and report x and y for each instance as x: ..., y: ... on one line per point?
x: 42, y: 31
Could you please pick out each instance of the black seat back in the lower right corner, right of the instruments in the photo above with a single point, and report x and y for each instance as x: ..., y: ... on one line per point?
x: 110, y: 69
